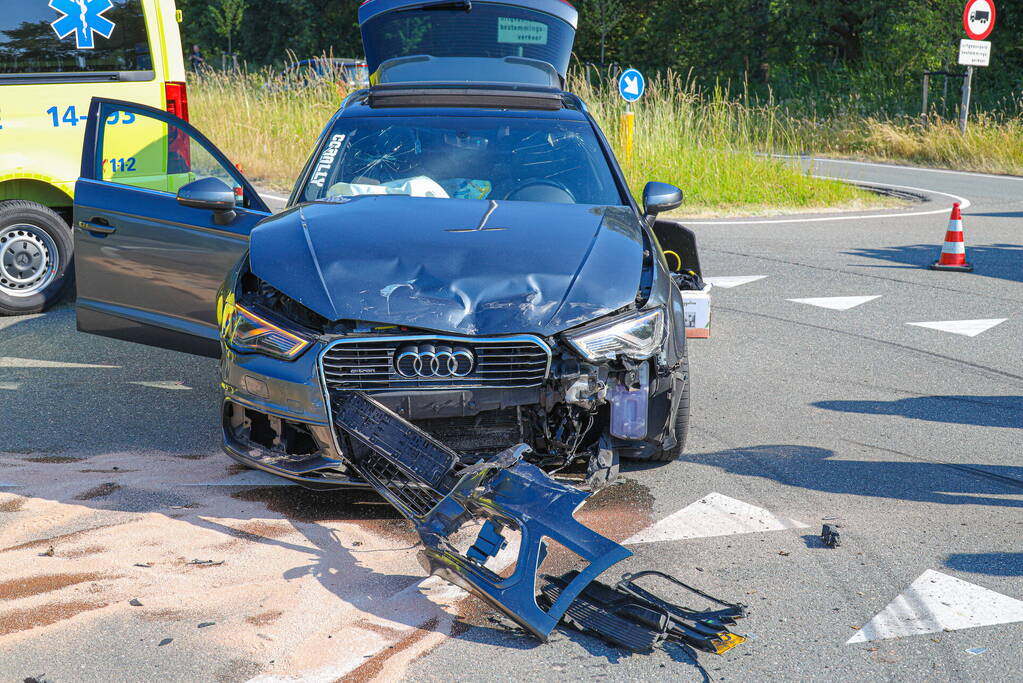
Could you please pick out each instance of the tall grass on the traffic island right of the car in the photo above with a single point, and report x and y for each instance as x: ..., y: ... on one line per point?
x: 710, y: 146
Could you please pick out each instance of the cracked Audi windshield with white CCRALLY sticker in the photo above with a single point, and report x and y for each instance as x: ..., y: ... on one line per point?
x: 471, y: 158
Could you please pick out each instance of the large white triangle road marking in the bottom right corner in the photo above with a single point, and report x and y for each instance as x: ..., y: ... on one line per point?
x: 938, y: 603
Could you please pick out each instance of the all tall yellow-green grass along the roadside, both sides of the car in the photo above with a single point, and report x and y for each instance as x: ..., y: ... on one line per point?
x: 709, y: 143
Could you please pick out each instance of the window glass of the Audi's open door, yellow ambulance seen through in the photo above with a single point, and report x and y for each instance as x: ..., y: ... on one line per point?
x: 154, y: 154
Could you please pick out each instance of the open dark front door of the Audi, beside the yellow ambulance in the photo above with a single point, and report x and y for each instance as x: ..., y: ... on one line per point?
x: 161, y: 218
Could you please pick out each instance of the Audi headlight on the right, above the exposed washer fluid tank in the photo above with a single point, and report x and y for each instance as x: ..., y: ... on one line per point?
x: 638, y: 336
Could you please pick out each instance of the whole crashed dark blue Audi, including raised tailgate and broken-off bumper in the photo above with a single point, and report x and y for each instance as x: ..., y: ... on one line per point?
x: 461, y: 296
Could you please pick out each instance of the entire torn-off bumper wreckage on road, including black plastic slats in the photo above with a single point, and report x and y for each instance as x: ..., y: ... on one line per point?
x: 504, y: 497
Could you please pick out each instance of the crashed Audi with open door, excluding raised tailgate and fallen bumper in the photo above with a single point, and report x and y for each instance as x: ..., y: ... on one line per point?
x: 483, y: 272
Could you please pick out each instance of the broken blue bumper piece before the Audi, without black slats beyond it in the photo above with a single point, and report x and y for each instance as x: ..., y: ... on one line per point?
x: 422, y: 479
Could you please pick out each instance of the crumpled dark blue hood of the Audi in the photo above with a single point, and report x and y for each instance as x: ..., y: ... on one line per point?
x: 459, y: 266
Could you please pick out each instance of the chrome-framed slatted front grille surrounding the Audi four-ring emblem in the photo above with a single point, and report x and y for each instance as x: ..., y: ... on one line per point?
x: 369, y: 363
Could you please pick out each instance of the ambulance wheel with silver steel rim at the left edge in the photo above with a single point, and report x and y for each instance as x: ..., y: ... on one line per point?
x: 36, y: 249
